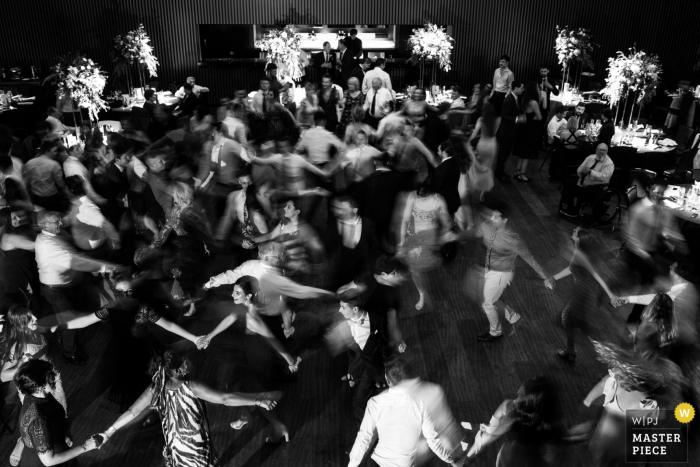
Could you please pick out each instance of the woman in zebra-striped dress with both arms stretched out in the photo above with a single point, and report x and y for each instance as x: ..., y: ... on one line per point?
x: 178, y: 400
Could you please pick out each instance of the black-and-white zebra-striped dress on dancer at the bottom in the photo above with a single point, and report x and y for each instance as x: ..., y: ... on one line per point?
x: 186, y: 429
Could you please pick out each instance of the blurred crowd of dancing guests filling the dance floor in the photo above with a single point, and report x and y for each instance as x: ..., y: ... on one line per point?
x: 344, y: 200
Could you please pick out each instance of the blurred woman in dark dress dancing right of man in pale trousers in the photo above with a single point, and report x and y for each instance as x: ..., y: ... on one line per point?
x: 586, y: 291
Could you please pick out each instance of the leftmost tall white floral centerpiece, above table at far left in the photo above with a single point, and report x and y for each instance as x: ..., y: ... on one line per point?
x: 80, y: 79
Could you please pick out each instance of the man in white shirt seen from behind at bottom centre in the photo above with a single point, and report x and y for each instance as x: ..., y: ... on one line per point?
x: 398, y: 418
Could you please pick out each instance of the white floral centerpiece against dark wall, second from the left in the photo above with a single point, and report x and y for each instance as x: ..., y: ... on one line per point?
x: 134, y: 49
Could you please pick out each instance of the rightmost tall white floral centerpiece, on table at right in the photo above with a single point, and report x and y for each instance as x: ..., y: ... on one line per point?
x: 635, y: 73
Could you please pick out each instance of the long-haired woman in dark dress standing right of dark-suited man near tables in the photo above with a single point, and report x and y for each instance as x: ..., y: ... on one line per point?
x: 529, y: 136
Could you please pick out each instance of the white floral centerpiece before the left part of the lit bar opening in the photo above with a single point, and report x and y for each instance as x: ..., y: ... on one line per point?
x: 283, y: 47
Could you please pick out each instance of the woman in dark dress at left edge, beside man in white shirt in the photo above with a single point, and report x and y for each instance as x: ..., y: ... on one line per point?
x: 17, y: 264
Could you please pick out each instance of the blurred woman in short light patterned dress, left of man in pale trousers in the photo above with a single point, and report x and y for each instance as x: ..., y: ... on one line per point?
x: 425, y: 224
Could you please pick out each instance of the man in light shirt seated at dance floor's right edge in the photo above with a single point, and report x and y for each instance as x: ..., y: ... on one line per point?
x: 596, y: 170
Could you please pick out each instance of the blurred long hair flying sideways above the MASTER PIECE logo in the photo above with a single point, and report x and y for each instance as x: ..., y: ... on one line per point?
x: 631, y: 373
